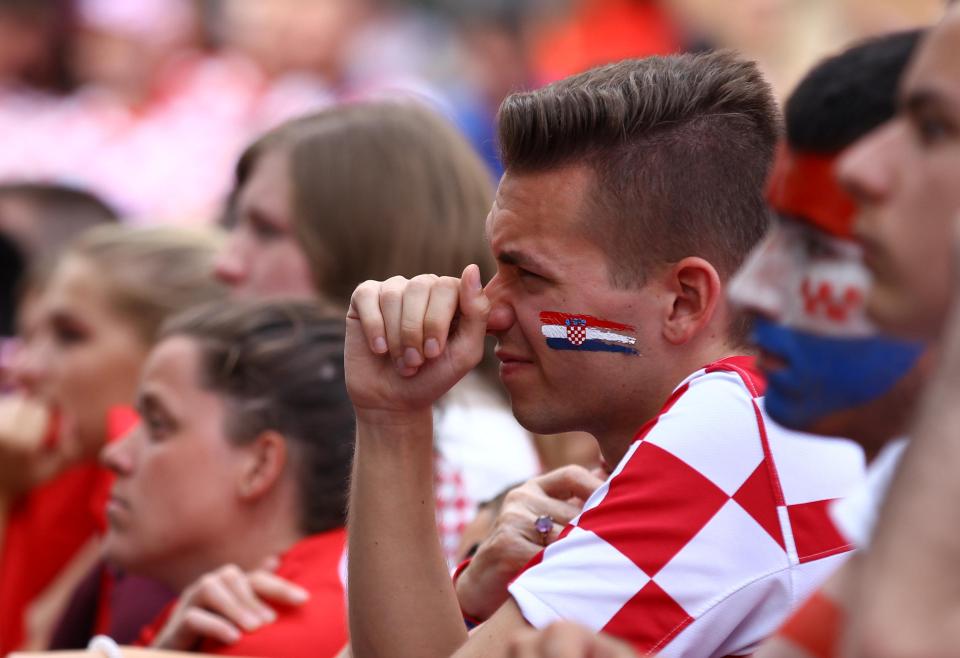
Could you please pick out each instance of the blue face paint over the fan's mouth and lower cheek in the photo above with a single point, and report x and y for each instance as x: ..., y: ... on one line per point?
x: 826, y: 374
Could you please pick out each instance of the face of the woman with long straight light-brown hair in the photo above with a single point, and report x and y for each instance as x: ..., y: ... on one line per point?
x: 262, y: 257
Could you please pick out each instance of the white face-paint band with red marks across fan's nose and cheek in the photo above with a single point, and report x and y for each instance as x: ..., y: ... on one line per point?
x: 805, y: 279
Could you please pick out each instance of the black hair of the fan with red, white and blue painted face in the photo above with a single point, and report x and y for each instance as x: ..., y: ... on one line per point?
x: 848, y: 95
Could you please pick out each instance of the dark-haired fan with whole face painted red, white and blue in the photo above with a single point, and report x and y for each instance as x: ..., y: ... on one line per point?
x: 829, y: 370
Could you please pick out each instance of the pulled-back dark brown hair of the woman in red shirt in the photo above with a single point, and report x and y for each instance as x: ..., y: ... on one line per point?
x: 279, y: 366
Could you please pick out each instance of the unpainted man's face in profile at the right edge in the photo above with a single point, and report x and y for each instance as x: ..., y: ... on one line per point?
x: 906, y: 179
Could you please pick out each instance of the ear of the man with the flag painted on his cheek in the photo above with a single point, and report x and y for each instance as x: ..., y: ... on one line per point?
x: 696, y: 292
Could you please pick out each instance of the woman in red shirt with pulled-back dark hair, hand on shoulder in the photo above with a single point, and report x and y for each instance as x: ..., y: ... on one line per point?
x: 237, y: 477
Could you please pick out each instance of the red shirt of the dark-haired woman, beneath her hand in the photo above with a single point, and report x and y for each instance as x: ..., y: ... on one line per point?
x: 316, y: 629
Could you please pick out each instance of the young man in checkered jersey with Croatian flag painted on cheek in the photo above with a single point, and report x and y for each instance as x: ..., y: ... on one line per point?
x: 631, y: 193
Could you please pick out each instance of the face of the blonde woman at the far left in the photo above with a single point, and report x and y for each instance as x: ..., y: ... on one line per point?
x: 79, y: 354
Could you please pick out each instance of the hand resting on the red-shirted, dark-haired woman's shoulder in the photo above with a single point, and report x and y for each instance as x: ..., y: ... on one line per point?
x: 225, y: 603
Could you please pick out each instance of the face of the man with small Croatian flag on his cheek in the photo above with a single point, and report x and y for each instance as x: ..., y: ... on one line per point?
x: 564, y: 367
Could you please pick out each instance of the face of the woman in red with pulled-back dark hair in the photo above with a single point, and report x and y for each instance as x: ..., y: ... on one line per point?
x: 176, y: 473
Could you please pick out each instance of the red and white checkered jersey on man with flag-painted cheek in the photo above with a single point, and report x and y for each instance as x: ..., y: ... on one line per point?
x: 712, y: 527
